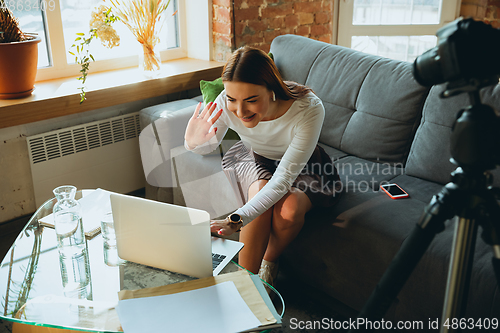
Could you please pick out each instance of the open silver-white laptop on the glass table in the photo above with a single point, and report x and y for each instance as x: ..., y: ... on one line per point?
x: 169, y: 237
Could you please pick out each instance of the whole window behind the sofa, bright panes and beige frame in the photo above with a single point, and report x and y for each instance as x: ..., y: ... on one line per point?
x: 397, y: 29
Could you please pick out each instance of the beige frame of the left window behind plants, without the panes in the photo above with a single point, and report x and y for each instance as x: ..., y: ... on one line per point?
x: 58, y: 54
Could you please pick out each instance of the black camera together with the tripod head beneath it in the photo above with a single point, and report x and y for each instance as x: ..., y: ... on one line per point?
x: 467, y: 59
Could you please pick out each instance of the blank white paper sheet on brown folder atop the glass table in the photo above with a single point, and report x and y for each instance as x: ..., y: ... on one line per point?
x: 218, y: 309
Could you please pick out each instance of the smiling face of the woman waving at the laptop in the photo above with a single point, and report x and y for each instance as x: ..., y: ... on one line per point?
x: 249, y: 102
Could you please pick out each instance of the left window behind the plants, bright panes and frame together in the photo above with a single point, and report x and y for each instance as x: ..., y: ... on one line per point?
x: 58, y: 21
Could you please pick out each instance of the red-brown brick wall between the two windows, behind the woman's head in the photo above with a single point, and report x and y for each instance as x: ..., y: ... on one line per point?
x: 258, y: 22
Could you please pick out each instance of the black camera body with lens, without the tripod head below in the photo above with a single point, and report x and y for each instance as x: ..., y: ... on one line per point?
x: 466, y: 55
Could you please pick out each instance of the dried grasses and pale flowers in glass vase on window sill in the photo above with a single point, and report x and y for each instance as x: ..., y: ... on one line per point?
x: 139, y: 16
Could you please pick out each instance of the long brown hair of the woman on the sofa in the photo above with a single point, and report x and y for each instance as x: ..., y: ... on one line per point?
x: 252, y: 65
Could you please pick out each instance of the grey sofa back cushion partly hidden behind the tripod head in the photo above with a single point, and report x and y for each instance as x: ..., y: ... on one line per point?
x: 429, y: 156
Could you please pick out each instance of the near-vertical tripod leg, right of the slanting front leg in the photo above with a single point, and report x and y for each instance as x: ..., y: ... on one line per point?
x: 459, y: 273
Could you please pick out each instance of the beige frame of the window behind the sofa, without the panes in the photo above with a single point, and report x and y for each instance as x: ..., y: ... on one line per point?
x: 346, y: 30
